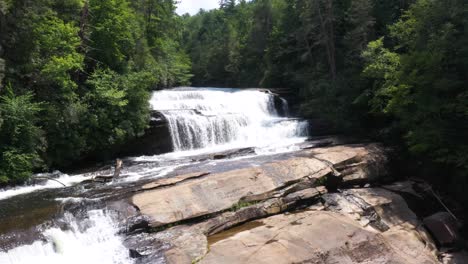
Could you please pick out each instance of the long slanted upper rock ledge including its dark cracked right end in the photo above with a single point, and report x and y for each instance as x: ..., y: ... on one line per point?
x: 207, y: 194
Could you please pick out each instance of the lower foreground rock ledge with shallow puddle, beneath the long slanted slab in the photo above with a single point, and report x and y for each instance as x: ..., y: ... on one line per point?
x: 363, y: 225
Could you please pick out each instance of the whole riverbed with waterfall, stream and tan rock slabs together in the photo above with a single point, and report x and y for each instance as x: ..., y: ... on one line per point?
x: 244, y: 184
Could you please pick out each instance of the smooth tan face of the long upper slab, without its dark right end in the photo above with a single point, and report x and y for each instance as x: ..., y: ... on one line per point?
x: 218, y: 192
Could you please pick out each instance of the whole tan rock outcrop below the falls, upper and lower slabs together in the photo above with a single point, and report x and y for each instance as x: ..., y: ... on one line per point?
x: 285, y: 210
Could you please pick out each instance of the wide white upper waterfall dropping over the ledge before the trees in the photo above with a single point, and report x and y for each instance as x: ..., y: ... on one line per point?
x: 204, y: 118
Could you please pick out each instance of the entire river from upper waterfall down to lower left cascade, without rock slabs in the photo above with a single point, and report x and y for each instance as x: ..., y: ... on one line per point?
x: 47, y: 222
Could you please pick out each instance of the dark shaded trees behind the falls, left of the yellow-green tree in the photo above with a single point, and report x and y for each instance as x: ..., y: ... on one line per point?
x: 313, y: 47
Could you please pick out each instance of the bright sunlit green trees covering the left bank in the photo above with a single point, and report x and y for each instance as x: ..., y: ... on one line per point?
x: 78, y: 74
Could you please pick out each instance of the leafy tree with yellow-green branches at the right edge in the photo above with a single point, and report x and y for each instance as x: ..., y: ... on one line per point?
x: 423, y: 82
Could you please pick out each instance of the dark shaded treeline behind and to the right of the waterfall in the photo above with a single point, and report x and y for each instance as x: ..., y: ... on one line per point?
x: 392, y: 70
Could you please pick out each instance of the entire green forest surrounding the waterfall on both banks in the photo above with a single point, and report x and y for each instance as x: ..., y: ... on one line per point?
x: 76, y: 75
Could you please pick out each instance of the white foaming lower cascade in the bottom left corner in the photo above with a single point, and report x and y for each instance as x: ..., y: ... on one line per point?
x: 91, y: 241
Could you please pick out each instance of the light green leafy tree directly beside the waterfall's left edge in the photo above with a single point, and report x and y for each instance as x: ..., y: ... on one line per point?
x: 117, y: 108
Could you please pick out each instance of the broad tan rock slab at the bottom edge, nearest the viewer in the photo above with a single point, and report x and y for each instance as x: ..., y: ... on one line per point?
x: 316, y: 237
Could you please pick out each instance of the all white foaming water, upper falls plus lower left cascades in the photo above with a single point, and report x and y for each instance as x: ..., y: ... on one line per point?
x: 199, y: 119
